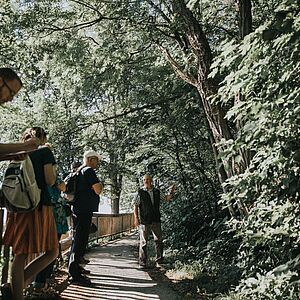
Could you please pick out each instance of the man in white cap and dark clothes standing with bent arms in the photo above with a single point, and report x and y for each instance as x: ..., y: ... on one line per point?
x: 86, y: 201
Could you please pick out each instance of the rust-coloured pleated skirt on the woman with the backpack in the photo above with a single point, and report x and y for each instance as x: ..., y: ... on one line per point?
x: 32, y: 232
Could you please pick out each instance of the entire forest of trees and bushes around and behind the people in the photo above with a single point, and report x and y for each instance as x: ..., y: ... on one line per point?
x: 200, y: 93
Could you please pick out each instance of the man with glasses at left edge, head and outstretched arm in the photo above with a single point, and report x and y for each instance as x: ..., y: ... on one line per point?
x: 10, y: 84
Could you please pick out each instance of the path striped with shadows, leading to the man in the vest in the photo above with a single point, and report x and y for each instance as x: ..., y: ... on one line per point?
x: 116, y: 275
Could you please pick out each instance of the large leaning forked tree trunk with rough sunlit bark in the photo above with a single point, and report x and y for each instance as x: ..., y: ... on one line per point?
x: 215, y: 114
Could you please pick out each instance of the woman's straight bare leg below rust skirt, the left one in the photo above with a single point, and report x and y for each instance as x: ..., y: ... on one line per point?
x: 17, y: 276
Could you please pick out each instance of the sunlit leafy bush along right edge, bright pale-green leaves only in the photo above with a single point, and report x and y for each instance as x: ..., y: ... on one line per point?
x: 264, y: 69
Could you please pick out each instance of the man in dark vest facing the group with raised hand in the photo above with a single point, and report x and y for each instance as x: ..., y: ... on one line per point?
x: 147, y: 217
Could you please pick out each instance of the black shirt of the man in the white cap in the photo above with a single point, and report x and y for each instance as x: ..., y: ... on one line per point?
x: 86, y: 200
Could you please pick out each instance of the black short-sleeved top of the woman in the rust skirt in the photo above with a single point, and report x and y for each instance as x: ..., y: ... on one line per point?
x: 39, y: 158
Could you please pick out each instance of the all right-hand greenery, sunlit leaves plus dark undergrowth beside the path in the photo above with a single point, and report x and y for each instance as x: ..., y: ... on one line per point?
x: 256, y: 256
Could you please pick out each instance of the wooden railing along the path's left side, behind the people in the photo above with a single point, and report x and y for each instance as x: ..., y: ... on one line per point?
x: 108, y: 226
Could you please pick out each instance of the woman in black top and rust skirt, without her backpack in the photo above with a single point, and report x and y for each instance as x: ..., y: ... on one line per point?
x: 35, y: 231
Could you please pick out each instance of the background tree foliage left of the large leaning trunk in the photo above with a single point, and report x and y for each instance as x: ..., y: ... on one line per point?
x: 88, y: 71
